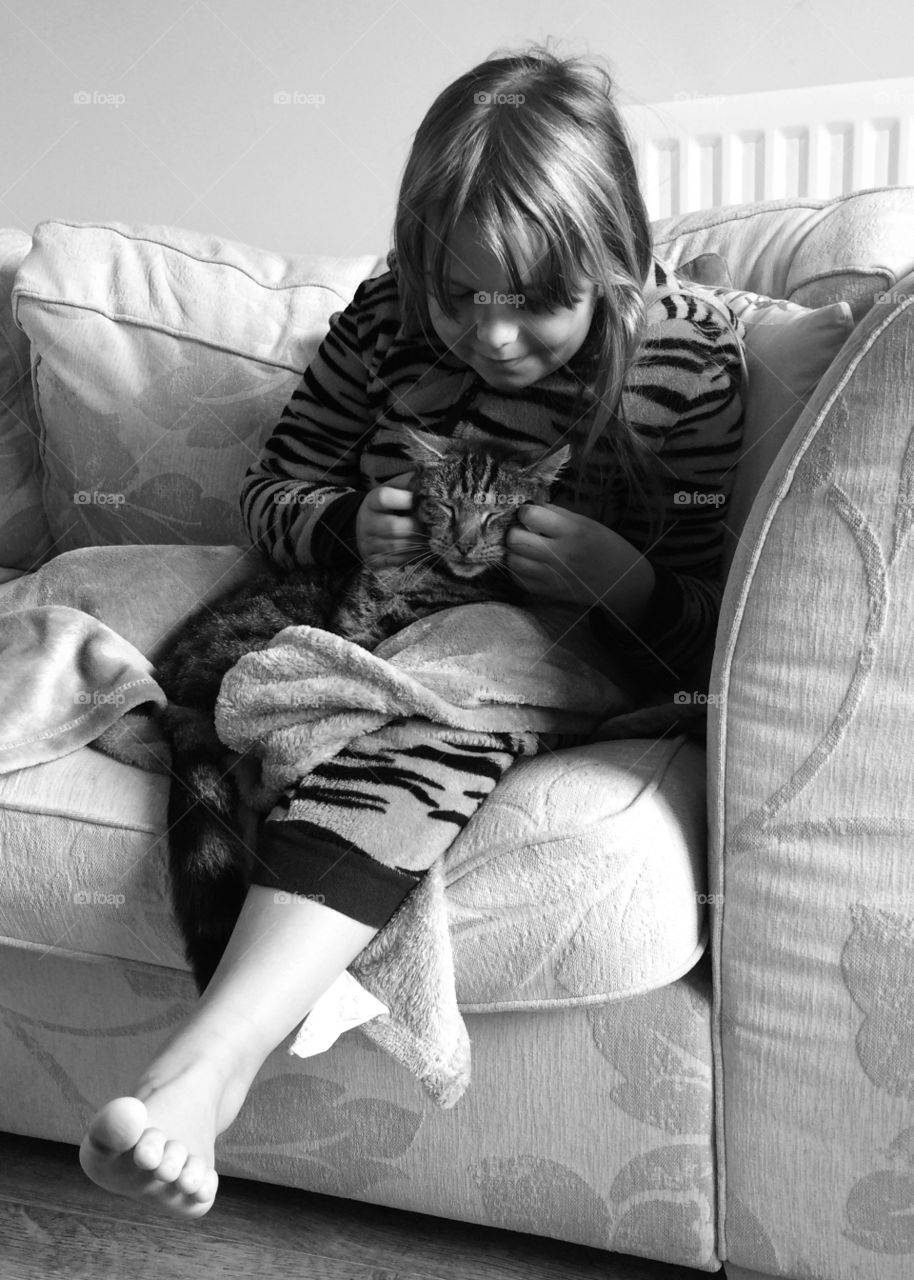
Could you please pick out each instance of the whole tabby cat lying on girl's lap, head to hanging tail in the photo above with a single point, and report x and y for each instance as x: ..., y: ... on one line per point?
x: 467, y: 496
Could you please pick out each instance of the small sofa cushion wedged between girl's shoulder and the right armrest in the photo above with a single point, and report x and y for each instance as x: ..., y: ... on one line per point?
x: 789, y: 349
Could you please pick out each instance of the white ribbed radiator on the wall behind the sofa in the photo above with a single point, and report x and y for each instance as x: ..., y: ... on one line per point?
x: 703, y: 152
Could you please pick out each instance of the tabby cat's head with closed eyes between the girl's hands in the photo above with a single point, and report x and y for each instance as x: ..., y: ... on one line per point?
x: 468, y: 497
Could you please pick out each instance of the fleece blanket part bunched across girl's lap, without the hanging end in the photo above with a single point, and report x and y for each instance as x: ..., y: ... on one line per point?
x: 479, y: 668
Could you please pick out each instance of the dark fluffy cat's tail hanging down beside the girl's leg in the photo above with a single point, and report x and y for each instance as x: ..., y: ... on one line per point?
x: 211, y: 851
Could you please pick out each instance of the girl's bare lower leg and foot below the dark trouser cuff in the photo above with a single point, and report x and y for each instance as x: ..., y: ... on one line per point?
x: 158, y: 1144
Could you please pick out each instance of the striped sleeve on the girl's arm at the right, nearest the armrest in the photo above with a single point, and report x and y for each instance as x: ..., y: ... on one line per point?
x: 685, y: 395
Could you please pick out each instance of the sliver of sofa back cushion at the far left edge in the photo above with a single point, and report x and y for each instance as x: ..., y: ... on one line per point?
x: 25, y: 533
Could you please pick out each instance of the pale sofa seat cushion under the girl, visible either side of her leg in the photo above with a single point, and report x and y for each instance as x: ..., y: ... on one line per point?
x: 582, y: 879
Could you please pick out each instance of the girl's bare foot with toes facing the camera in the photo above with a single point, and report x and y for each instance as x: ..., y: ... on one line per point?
x: 158, y: 1146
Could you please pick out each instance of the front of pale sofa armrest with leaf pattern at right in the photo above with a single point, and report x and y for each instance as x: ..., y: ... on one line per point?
x: 812, y: 830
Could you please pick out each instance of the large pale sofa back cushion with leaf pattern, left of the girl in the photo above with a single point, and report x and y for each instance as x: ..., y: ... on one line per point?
x: 163, y: 359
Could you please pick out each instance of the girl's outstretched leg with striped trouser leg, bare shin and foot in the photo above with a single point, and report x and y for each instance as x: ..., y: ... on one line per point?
x: 353, y: 839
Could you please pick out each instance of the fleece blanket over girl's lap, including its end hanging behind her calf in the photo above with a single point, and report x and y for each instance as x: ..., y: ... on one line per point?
x: 487, y: 668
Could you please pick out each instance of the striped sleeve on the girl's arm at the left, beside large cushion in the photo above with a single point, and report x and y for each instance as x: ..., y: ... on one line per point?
x: 313, y: 458
